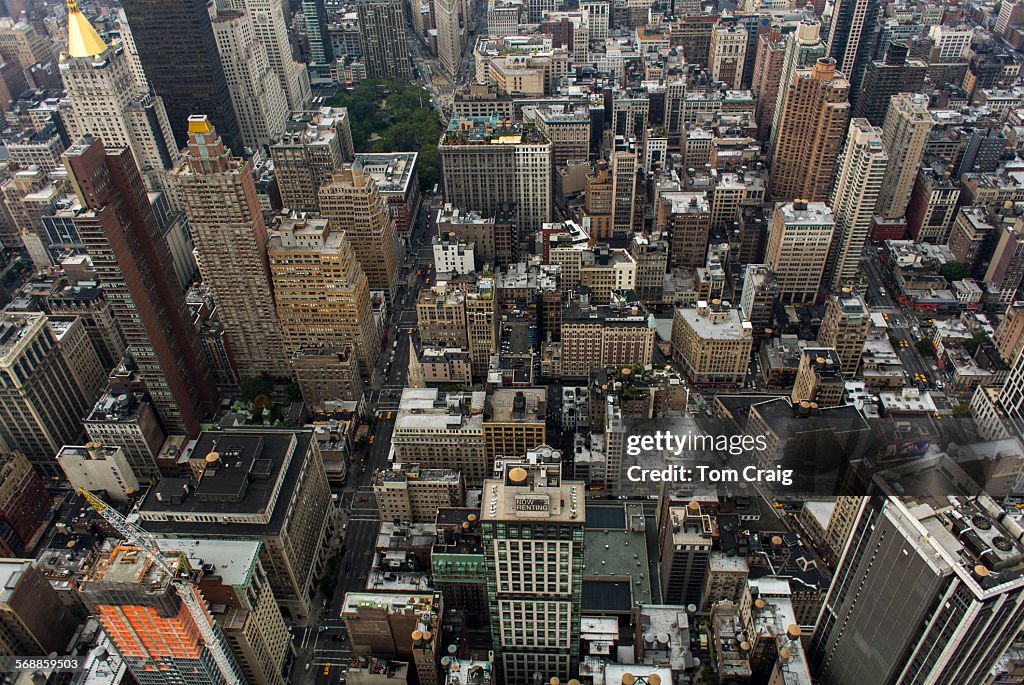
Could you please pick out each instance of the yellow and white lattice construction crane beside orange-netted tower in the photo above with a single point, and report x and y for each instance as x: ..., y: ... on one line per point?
x: 183, y: 584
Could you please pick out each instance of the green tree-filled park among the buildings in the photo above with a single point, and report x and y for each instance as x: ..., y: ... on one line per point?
x: 395, y: 116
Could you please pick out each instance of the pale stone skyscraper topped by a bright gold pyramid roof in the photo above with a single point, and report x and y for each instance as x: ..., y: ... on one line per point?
x: 111, y: 103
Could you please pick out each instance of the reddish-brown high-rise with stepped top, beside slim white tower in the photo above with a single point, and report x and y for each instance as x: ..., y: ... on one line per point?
x: 813, y: 122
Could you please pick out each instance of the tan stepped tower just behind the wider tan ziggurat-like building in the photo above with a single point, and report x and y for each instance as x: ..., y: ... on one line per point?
x: 353, y: 204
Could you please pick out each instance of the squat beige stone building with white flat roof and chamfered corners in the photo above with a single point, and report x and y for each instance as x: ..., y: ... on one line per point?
x: 712, y: 344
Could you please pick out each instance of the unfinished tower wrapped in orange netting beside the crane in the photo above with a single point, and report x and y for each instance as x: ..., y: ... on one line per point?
x: 148, y: 622
